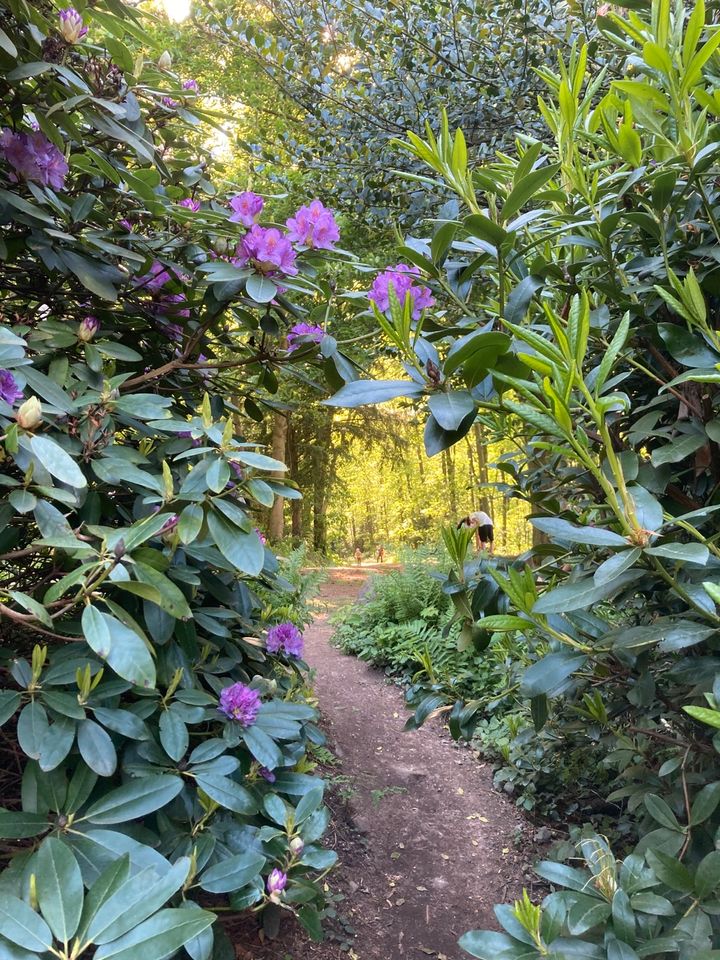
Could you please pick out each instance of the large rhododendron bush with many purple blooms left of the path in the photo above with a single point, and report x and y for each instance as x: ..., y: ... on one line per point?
x: 154, y: 728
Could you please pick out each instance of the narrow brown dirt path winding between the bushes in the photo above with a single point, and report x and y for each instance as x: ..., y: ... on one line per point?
x: 426, y: 846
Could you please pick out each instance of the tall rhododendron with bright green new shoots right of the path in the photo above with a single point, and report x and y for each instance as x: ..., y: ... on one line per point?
x: 590, y: 262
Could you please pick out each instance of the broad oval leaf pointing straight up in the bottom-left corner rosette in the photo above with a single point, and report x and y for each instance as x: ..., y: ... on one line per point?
x: 59, y: 887
